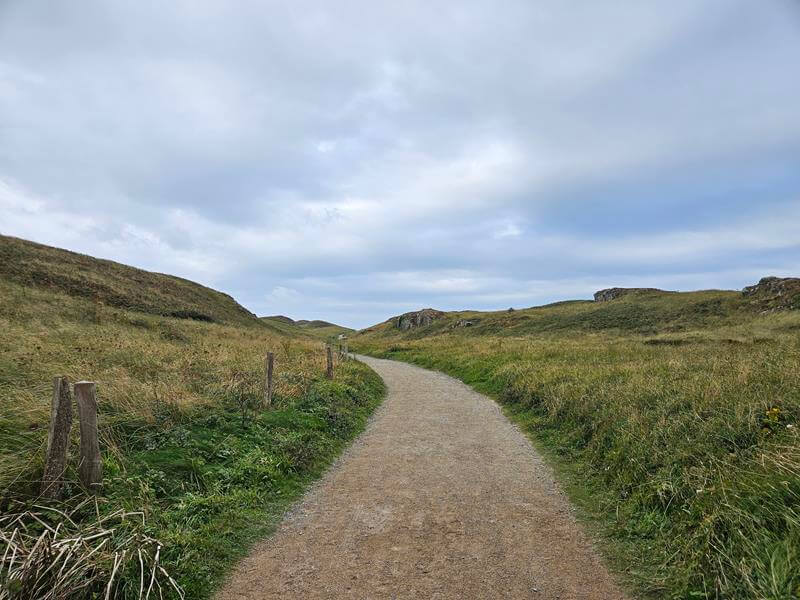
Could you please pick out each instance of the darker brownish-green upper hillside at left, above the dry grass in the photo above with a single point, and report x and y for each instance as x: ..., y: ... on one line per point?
x: 114, y: 284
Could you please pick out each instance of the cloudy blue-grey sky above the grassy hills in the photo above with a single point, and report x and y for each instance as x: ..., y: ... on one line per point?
x: 353, y: 160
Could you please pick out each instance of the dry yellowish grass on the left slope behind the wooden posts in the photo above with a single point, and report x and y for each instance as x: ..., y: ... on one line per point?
x: 148, y: 368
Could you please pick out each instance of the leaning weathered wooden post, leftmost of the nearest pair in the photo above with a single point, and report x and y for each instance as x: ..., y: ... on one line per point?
x: 57, y: 439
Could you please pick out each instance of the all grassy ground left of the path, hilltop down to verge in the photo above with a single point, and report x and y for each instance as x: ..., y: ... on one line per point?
x: 191, y: 459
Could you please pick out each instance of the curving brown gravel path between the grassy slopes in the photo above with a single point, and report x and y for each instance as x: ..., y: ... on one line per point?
x: 441, y: 497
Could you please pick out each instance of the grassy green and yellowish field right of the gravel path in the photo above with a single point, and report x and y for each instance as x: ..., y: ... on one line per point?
x: 675, y: 417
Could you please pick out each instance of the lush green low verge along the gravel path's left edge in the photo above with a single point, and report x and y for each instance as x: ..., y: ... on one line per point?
x: 211, y: 487
